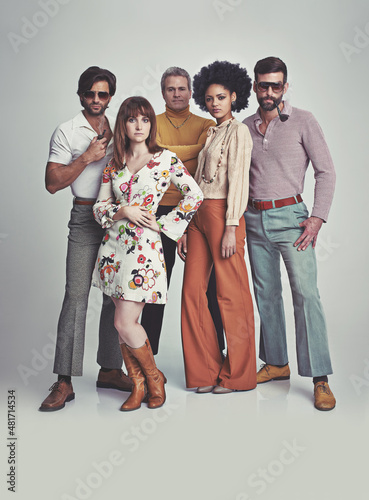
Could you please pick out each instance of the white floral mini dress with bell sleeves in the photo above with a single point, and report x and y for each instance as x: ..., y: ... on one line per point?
x: 130, y: 263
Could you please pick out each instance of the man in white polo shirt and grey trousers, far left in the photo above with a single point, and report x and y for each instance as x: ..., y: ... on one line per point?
x: 79, y: 151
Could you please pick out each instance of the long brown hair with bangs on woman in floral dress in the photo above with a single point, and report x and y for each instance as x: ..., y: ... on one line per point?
x: 133, y: 106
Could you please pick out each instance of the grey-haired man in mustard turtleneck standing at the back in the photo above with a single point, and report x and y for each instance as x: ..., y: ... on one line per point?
x: 183, y: 133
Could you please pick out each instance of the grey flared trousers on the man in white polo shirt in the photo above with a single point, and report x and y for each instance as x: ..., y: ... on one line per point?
x: 84, y: 239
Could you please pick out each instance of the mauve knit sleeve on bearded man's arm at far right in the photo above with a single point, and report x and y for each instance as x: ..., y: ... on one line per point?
x: 324, y: 172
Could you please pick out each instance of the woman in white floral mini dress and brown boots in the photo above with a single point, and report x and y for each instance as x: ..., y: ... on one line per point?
x: 130, y: 266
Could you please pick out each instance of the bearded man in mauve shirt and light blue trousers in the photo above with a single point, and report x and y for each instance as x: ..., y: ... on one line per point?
x: 285, y: 140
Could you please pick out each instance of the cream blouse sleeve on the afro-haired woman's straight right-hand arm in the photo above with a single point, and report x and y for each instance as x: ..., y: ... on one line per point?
x: 238, y: 161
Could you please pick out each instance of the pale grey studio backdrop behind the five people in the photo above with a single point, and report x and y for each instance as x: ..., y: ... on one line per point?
x: 46, y: 44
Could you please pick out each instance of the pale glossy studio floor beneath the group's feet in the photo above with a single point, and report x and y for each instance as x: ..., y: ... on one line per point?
x: 269, y: 443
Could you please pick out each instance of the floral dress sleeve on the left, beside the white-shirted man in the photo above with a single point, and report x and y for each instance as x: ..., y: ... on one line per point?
x: 105, y: 206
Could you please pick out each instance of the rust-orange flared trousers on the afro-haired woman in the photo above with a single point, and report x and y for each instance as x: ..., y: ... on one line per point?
x: 203, y: 362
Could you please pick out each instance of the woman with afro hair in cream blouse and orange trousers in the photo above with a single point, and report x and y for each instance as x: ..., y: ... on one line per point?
x: 216, y: 237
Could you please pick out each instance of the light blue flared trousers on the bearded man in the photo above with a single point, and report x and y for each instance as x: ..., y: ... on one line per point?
x: 281, y: 229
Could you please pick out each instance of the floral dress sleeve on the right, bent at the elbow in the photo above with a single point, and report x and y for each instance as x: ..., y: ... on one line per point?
x: 175, y: 222
